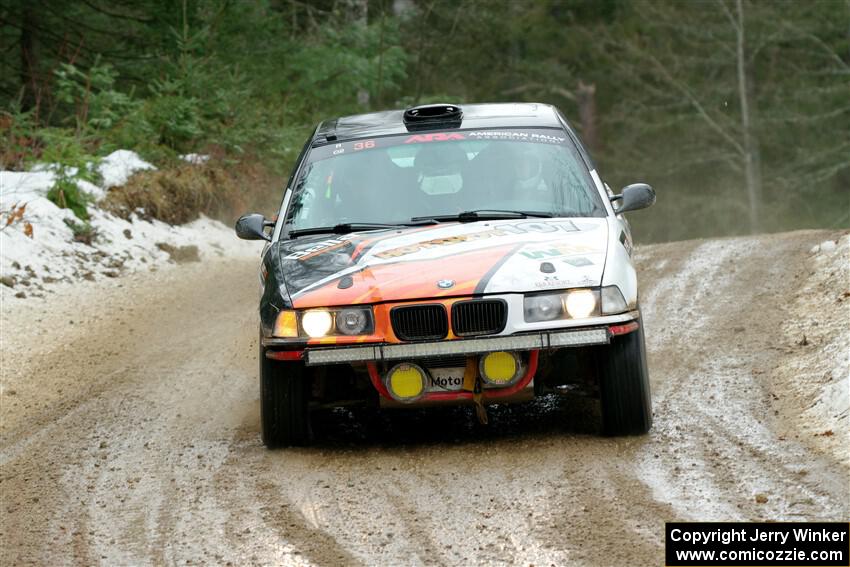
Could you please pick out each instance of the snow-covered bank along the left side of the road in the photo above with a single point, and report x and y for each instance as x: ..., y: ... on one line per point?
x: 53, y: 254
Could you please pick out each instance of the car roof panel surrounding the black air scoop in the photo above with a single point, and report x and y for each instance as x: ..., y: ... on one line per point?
x: 486, y: 115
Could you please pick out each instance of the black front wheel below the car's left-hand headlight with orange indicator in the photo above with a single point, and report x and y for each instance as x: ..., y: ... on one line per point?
x: 284, y: 397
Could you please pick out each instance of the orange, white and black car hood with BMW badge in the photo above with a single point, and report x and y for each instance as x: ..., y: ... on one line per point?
x: 484, y: 257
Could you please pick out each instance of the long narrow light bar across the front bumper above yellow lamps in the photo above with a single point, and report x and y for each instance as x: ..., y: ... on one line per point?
x: 544, y: 340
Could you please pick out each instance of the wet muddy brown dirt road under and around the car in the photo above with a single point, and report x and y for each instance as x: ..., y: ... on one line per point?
x: 130, y: 429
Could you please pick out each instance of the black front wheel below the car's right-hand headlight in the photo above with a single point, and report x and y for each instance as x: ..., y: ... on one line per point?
x: 624, y: 385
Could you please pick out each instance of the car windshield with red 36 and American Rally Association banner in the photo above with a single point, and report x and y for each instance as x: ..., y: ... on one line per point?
x: 393, y: 179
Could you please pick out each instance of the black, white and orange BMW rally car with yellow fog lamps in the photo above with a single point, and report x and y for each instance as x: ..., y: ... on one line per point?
x: 448, y: 254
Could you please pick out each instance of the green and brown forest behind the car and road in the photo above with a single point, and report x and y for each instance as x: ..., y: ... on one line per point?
x: 736, y: 111
